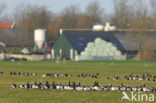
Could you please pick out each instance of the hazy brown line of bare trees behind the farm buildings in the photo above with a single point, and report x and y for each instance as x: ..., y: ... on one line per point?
x: 128, y: 14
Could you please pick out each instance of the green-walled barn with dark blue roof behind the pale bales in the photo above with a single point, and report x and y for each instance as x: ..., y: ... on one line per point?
x: 72, y: 42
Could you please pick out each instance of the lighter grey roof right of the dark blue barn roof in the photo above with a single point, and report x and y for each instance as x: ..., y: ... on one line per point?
x: 130, y: 40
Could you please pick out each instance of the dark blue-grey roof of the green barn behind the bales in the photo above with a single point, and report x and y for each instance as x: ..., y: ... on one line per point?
x: 79, y: 38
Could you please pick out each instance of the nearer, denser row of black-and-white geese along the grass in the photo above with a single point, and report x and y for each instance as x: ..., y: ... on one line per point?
x: 79, y: 87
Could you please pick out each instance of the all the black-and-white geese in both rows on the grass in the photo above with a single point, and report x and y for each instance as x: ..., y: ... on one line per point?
x: 79, y: 87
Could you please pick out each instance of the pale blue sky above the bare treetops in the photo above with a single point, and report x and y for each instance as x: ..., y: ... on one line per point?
x: 57, y: 5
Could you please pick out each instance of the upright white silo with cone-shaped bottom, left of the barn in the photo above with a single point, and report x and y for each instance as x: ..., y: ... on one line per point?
x: 39, y: 38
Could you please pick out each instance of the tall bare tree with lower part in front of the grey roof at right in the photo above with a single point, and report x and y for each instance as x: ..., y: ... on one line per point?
x: 141, y: 24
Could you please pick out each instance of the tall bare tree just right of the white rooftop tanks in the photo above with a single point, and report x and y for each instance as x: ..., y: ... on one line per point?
x: 123, y: 13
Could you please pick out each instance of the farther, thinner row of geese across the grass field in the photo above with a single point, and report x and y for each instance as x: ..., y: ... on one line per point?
x: 130, y: 77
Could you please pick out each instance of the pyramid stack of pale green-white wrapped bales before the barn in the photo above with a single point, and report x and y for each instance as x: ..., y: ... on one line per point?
x: 100, y: 50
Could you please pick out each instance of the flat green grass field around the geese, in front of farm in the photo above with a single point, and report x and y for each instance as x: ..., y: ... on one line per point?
x: 105, y: 68
